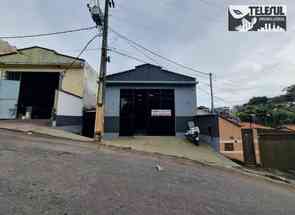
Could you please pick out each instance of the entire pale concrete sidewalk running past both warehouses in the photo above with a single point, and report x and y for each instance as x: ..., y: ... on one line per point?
x: 171, y: 146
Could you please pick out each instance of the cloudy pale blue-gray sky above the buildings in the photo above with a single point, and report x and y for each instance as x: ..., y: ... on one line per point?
x: 192, y: 32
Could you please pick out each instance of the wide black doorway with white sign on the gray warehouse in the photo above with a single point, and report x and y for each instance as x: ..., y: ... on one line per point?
x: 147, y: 112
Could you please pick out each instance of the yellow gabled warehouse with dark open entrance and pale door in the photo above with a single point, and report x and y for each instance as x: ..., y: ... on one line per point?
x: 39, y: 83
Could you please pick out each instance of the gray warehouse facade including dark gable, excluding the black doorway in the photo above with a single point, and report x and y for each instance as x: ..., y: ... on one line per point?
x: 150, y: 77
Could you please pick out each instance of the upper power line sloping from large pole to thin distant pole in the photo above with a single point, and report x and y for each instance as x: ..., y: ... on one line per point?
x: 158, y: 55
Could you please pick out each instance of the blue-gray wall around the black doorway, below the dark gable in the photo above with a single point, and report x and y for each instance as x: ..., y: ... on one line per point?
x: 185, y: 103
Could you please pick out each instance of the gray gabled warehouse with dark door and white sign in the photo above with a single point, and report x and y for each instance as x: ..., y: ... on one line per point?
x: 149, y: 100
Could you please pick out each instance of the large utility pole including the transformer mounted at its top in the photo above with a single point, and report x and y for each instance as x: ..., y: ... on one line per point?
x: 103, y: 22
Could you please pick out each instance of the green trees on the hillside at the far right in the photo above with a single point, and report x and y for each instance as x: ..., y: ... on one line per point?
x: 271, y: 112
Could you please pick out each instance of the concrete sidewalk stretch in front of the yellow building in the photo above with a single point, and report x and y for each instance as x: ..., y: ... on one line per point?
x: 35, y: 127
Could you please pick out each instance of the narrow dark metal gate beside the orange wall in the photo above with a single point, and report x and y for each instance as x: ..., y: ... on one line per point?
x: 248, y: 147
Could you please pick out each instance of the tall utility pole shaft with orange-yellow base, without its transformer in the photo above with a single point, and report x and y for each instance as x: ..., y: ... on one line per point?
x: 99, y: 119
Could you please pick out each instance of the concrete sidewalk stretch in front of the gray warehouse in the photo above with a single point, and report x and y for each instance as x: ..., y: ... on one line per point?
x: 173, y: 146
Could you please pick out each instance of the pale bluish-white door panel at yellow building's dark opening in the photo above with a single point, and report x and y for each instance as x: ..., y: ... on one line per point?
x: 9, y: 91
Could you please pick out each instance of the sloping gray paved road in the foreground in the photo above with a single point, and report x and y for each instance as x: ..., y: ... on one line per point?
x: 47, y: 176
